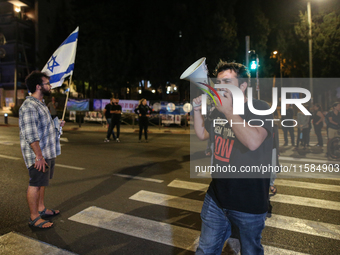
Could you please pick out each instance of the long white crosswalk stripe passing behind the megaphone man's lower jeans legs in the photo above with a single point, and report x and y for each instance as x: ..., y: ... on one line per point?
x: 155, y: 231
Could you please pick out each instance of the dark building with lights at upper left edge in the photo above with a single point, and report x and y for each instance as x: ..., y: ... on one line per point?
x: 17, y: 28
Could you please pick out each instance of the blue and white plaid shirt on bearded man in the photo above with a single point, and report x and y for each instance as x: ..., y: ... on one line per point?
x: 36, y: 124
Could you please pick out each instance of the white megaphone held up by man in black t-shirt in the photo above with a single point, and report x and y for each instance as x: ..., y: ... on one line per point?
x: 198, y: 74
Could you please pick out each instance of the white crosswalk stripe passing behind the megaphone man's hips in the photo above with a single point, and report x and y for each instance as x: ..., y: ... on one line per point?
x: 282, y: 222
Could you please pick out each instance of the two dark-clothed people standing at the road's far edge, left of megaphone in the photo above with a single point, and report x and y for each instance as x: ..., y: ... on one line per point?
x: 113, y: 112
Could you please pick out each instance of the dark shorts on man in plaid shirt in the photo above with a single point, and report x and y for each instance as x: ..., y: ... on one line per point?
x: 40, y: 178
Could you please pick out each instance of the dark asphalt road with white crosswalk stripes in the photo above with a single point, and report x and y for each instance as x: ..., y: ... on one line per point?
x: 138, y: 198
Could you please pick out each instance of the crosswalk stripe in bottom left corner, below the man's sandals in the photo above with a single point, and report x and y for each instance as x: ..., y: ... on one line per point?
x: 14, y: 243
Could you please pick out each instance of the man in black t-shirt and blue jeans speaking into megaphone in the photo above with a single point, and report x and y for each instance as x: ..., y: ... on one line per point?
x: 238, y: 194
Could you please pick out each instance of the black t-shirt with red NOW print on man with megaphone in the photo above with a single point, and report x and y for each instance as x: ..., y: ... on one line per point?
x: 237, y: 191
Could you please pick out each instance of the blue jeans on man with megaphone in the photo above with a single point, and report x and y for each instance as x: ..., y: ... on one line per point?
x: 216, y: 229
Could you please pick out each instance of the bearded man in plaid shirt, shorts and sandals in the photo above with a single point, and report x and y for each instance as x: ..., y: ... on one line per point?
x: 40, y: 145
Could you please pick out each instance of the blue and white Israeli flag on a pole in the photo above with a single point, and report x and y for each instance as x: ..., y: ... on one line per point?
x: 61, y: 63
